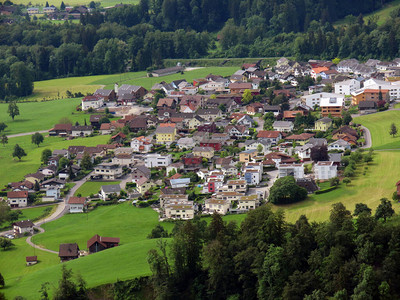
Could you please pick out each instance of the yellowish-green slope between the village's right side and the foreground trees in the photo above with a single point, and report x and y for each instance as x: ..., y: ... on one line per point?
x: 379, y: 182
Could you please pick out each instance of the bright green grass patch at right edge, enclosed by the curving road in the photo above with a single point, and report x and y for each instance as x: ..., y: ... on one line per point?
x: 379, y: 126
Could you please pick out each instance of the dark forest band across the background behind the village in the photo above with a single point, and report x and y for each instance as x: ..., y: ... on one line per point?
x: 137, y: 37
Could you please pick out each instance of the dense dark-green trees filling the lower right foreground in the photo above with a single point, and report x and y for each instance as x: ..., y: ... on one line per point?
x: 351, y: 256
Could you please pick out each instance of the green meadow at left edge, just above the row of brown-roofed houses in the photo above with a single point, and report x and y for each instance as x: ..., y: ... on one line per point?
x: 35, y: 116
